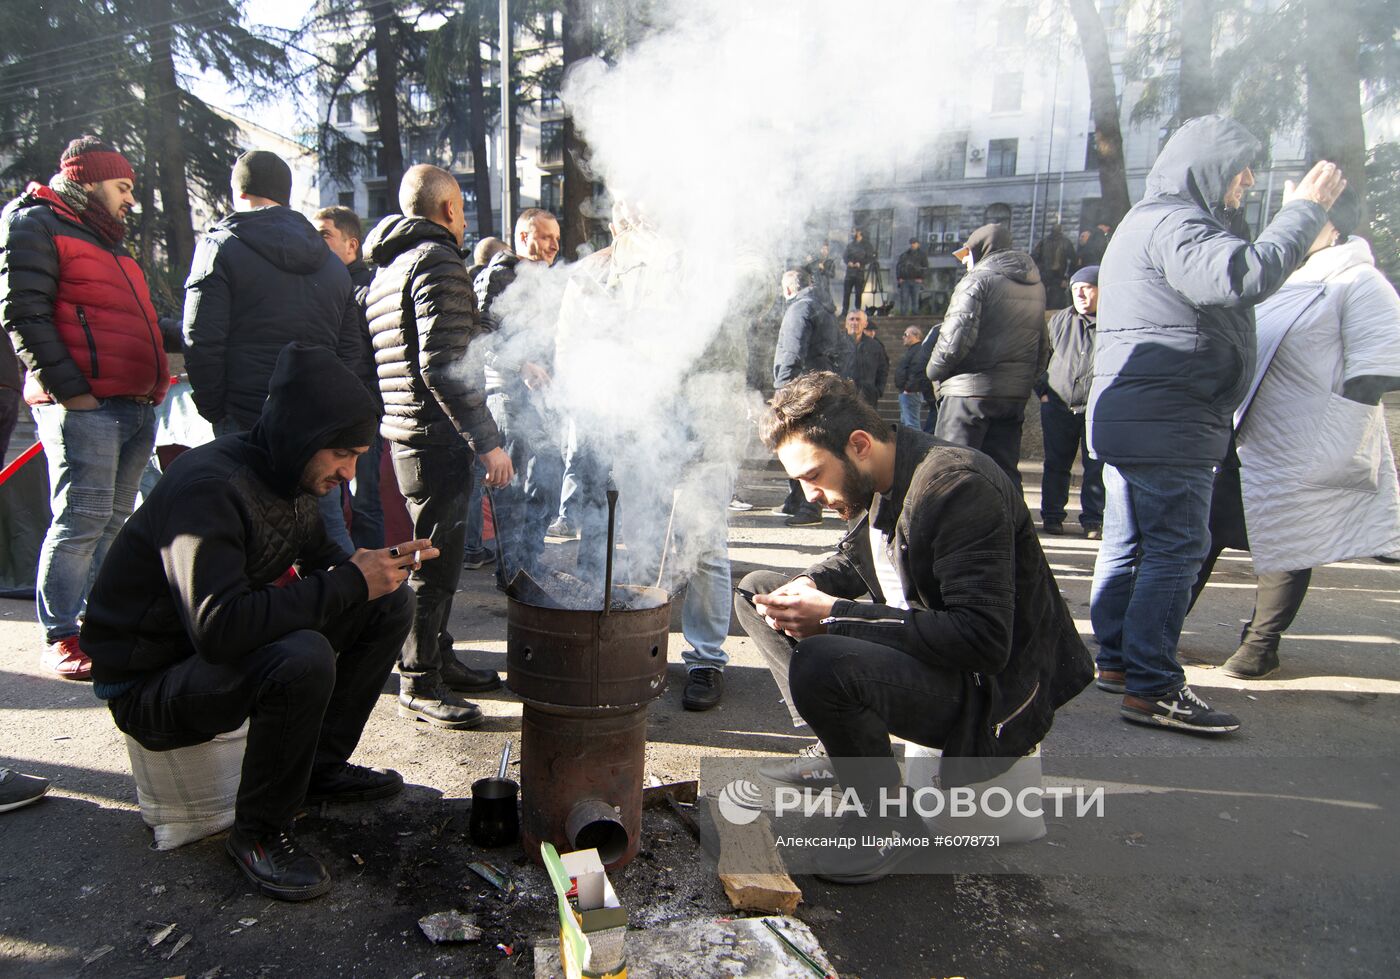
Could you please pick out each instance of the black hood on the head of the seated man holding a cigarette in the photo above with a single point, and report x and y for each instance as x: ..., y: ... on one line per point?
x: 314, y: 403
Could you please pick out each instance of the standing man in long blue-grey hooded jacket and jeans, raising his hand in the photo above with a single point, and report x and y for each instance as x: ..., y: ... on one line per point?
x: 1174, y: 358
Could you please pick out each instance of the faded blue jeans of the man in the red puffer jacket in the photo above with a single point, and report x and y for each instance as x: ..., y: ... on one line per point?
x: 96, y: 463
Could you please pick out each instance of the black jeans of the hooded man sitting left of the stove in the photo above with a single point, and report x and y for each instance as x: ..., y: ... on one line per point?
x: 309, y: 697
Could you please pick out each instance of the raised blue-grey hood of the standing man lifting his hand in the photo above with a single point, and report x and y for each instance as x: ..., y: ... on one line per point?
x: 1200, y: 160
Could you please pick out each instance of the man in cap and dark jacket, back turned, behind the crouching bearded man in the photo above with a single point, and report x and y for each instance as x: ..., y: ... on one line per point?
x: 992, y: 348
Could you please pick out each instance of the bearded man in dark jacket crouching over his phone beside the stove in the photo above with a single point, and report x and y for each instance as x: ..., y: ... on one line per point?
x: 937, y: 618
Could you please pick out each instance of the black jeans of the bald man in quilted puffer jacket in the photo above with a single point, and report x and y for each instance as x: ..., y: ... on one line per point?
x: 436, y: 484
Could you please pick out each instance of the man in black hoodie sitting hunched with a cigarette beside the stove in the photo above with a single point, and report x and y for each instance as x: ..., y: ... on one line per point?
x: 194, y: 627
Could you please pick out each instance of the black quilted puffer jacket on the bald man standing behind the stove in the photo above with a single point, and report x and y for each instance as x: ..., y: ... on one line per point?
x: 425, y: 327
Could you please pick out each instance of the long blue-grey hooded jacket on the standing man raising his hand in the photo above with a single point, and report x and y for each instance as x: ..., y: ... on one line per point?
x: 1175, y: 348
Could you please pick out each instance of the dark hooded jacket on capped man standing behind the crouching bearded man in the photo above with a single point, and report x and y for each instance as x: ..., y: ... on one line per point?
x: 993, y: 338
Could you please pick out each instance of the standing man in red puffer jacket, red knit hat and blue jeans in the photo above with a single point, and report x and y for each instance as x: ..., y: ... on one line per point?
x: 80, y: 314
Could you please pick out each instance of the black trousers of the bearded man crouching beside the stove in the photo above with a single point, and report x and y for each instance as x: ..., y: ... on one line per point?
x: 855, y: 694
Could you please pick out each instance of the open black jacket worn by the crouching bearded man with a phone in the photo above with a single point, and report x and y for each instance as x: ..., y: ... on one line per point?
x: 983, y: 602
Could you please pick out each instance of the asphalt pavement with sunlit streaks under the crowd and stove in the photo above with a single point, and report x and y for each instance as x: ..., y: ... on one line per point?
x: 79, y: 883
